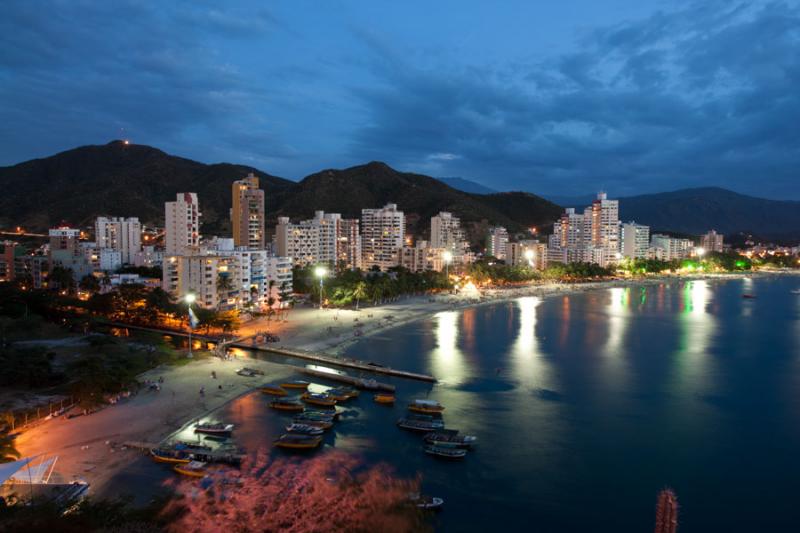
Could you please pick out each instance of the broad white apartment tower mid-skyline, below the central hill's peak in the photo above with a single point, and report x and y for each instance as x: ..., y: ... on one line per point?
x: 382, y: 235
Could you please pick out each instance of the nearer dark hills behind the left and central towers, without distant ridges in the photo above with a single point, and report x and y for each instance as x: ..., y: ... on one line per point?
x: 121, y: 179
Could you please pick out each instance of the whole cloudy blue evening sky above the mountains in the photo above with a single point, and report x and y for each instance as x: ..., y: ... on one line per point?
x: 553, y: 97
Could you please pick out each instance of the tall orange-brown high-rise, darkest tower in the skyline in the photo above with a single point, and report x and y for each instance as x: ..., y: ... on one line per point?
x: 247, y: 213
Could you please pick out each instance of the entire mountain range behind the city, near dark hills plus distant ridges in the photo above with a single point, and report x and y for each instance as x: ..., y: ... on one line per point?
x: 121, y: 179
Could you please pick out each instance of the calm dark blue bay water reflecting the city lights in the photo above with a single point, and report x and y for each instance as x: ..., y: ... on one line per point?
x: 587, y: 405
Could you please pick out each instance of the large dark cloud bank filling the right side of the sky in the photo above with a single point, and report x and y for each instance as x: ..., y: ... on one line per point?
x: 706, y: 94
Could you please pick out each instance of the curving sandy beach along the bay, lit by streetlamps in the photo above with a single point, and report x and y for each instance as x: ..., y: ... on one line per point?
x: 91, y: 447
